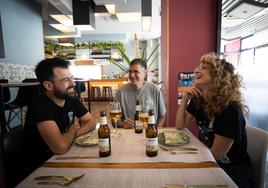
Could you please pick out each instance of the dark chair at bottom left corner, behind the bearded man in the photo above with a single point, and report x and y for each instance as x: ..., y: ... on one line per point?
x: 13, y: 157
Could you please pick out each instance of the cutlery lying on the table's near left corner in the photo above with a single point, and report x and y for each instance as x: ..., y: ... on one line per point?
x: 58, y: 180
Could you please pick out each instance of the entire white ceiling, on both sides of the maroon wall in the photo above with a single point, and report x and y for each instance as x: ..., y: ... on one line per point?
x: 232, y: 27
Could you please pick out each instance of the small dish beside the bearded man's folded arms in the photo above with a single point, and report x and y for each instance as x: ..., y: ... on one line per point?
x: 89, y: 139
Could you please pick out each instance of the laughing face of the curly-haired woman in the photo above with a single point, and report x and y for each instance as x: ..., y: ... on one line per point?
x: 202, y: 75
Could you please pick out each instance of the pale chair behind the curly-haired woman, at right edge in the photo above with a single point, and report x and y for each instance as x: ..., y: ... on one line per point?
x: 257, y: 150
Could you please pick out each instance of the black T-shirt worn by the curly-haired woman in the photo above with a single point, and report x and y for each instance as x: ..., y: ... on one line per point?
x: 229, y: 123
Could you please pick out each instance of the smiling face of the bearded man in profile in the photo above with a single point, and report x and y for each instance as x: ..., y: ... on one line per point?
x: 63, y: 83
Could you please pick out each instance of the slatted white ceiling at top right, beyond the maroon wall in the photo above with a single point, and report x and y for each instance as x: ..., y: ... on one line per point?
x: 233, y: 27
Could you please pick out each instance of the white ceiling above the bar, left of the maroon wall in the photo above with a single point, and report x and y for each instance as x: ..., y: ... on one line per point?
x: 104, y: 23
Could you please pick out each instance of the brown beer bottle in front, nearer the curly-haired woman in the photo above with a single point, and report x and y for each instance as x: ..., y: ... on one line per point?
x: 151, y: 136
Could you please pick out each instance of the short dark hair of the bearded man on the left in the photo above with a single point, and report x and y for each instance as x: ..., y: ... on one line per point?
x: 44, y: 69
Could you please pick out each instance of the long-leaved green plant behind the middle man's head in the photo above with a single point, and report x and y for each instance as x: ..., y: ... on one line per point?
x: 150, y: 60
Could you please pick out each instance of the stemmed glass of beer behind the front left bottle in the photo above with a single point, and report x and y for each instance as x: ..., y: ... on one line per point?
x: 115, y: 115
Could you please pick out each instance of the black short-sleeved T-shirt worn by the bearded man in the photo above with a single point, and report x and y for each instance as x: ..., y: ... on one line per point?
x: 43, y: 109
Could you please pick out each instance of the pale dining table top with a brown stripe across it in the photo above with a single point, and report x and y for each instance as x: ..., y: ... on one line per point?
x: 128, y: 166
